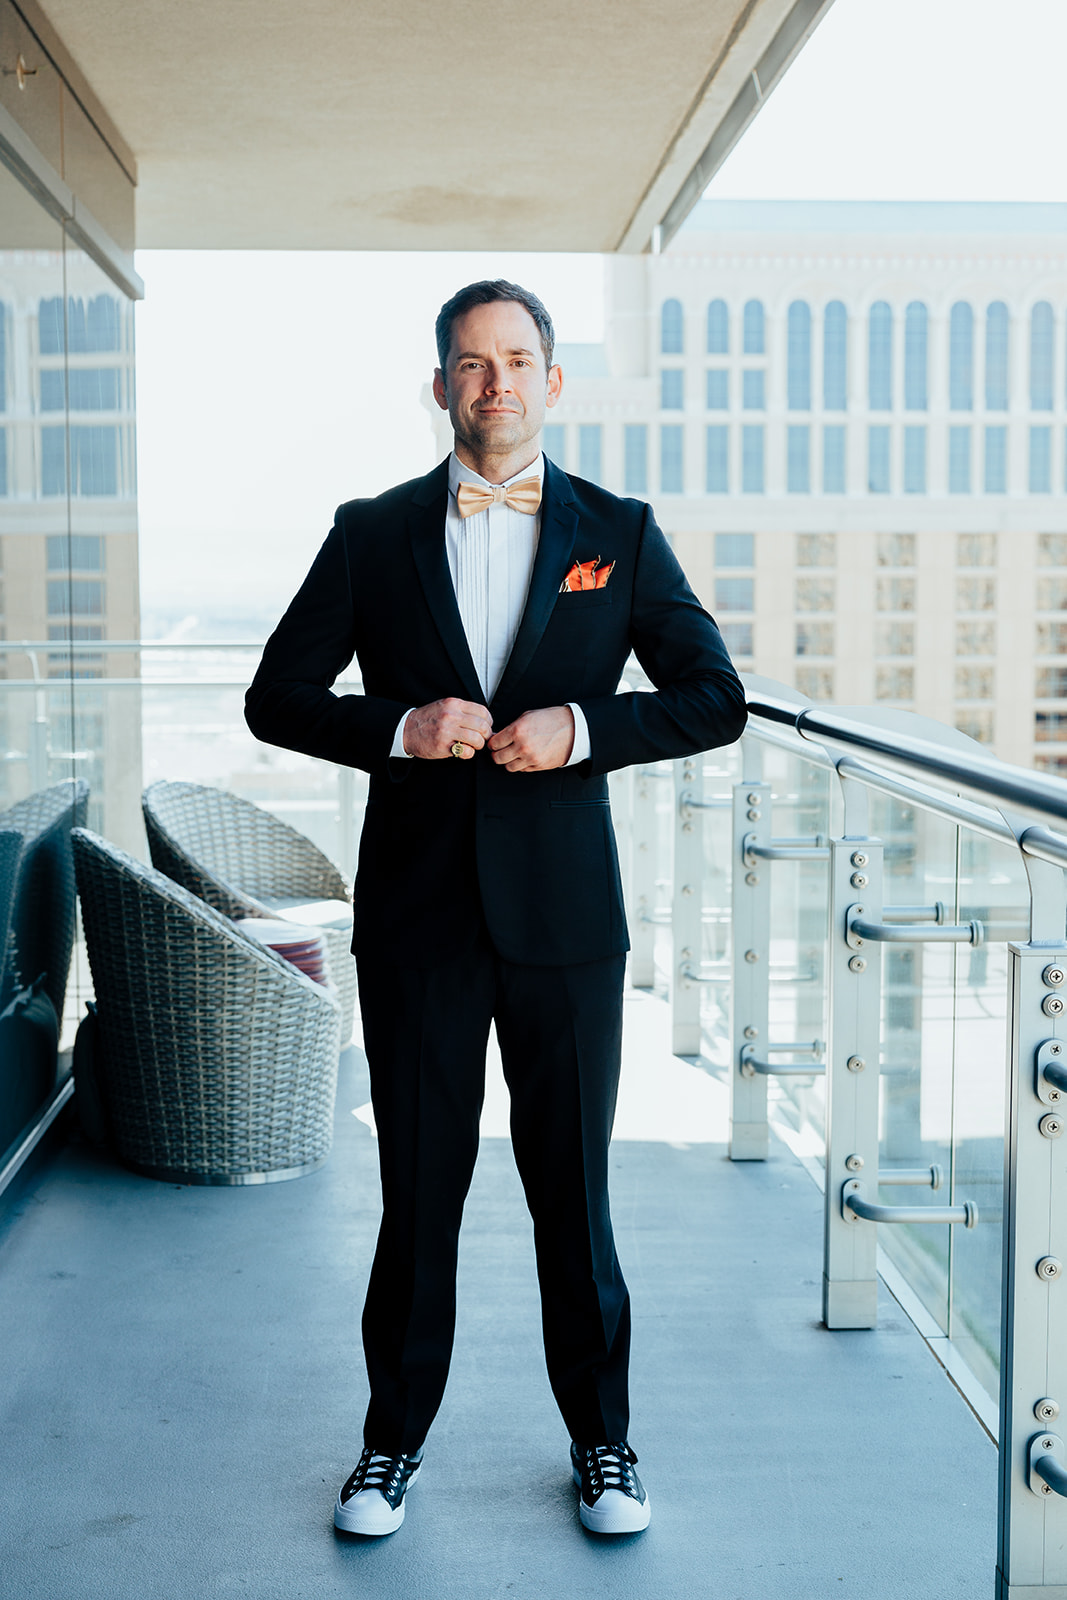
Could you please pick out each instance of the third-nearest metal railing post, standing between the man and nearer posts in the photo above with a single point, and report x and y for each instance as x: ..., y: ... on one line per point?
x: 751, y: 946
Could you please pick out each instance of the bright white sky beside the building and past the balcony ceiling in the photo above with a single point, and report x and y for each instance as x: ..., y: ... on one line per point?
x: 271, y: 386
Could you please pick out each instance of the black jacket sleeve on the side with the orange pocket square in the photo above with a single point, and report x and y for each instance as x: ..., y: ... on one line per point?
x: 698, y: 703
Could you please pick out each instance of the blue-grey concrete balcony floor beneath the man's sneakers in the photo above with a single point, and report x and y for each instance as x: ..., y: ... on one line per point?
x: 183, y: 1393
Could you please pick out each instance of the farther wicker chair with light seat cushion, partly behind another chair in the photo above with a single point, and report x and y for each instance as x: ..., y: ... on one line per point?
x: 247, y: 863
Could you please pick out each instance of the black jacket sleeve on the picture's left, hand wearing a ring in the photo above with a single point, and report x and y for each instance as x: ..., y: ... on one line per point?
x: 292, y: 703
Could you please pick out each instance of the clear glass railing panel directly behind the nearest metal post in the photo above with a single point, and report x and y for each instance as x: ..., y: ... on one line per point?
x: 994, y: 889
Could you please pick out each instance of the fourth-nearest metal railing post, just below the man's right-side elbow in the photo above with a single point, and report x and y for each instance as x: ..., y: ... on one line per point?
x: 687, y: 906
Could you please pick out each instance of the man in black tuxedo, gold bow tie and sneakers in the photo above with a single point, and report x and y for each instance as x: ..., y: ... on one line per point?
x: 492, y: 607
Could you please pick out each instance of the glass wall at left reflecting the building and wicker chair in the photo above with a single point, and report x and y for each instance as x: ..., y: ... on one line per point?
x: 70, y: 708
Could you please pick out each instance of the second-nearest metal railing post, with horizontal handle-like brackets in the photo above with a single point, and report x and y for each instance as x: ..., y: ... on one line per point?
x: 850, y: 1274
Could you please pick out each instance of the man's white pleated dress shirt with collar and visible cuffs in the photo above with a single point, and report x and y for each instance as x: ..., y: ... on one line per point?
x: 490, y: 559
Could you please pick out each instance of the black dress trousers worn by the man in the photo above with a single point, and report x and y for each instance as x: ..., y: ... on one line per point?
x: 561, y: 1034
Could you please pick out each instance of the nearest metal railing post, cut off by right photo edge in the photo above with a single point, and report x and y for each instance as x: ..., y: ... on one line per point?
x: 1033, y: 1526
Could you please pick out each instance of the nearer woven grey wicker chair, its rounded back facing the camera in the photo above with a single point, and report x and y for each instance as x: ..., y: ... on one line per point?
x: 212, y: 1058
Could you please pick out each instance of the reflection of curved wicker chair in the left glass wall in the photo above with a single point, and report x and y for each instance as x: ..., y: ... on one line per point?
x: 42, y: 913
